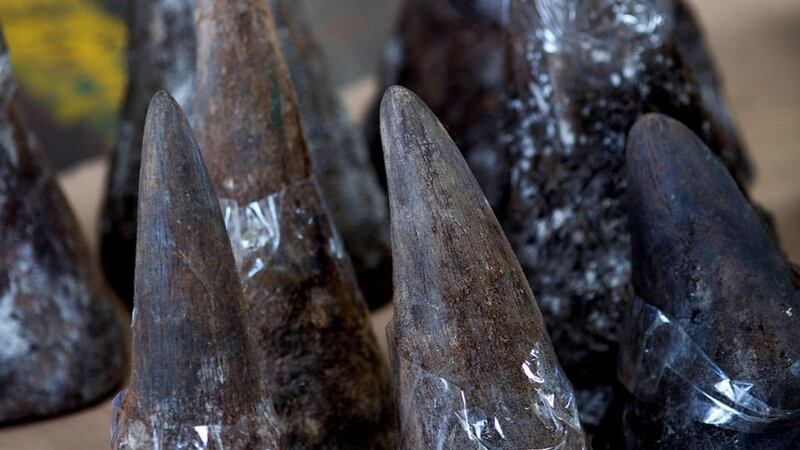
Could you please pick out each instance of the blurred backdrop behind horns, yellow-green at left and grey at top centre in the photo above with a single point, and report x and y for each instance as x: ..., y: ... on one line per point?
x: 69, y: 58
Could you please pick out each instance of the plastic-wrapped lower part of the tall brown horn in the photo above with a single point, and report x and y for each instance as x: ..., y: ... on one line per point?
x: 320, y: 361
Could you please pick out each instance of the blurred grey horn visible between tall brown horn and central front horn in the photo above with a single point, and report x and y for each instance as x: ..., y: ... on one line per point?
x: 341, y: 161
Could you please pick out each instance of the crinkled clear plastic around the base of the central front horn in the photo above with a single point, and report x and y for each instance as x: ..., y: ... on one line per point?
x: 550, y: 405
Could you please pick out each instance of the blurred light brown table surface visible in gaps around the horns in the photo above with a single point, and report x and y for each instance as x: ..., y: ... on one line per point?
x: 755, y: 44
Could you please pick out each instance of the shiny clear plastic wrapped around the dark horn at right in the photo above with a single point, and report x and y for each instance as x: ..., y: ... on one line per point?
x: 653, y: 346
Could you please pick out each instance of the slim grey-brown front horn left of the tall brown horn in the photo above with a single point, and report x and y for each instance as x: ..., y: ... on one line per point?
x: 194, y: 371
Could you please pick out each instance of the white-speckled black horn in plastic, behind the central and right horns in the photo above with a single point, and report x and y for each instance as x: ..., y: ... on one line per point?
x: 580, y: 74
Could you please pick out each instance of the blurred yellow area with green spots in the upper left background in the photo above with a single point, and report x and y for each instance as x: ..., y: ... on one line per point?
x: 69, y: 55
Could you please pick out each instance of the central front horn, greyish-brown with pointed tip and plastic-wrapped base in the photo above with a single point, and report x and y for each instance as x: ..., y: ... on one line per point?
x: 470, y: 346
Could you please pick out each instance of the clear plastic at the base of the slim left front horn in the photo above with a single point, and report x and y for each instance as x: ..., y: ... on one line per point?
x: 152, y: 433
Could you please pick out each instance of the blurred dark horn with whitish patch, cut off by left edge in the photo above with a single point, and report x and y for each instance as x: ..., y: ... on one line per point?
x: 61, y: 338
